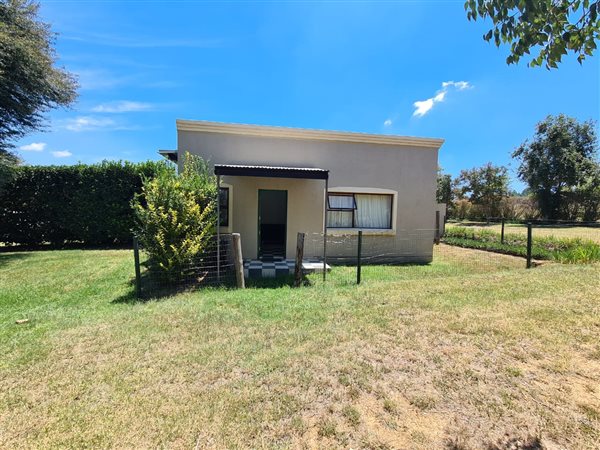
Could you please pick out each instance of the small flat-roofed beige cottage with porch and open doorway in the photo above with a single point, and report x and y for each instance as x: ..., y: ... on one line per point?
x: 276, y: 182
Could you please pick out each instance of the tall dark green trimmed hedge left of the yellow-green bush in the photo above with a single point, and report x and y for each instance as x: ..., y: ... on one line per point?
x: 85, y: 204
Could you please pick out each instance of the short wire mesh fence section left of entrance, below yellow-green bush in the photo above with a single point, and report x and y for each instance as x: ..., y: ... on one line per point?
x: 213, y: 267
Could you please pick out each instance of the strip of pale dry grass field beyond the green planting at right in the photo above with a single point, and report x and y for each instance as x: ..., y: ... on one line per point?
x: 592, y: 233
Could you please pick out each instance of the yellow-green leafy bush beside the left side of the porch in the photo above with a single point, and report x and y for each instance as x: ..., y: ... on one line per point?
x: 176, y: 216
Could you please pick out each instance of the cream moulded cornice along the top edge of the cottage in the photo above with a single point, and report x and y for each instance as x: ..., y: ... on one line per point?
x: 306, y: 134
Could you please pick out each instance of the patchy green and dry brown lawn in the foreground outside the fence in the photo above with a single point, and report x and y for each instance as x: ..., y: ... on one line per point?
x: 440, y: 356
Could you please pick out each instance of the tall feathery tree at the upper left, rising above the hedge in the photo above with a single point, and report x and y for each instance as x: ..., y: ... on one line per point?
x: 30, y: 84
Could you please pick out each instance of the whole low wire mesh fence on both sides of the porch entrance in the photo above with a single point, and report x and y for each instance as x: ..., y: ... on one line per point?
x: 351, y: 258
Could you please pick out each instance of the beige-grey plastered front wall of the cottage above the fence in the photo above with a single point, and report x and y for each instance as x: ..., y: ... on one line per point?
x: 410, y: 171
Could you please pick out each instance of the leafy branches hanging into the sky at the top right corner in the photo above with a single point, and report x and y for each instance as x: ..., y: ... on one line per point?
x: 554, y: 26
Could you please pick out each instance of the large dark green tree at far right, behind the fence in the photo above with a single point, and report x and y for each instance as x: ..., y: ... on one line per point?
x: 561, y: 168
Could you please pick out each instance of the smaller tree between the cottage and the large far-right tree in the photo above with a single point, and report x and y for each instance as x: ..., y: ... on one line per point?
x: 485, y: 187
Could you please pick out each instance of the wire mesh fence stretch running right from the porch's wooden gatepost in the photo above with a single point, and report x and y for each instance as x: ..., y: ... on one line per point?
x: 462, y: 249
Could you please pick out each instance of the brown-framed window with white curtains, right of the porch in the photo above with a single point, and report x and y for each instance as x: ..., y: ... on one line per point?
x: 359, y: 211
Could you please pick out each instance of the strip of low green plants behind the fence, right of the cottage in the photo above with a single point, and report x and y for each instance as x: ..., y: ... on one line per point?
x: 564, y: 250
